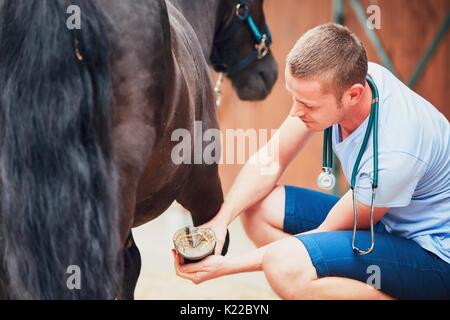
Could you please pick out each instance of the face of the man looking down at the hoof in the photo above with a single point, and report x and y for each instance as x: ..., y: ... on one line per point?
x: 317, y: 109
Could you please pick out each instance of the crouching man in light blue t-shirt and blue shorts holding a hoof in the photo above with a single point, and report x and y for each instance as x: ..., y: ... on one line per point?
x: 326, y: 75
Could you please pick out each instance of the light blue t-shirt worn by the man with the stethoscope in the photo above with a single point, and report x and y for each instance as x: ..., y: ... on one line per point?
x: 414, y: 164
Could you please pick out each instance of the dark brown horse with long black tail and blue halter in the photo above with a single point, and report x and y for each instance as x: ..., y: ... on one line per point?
x: 86, y: 118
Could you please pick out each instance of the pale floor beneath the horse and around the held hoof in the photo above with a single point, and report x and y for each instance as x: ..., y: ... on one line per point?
x: 158, y: 279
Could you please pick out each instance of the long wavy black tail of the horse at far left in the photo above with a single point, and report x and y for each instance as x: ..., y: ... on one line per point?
x: 58, y: 184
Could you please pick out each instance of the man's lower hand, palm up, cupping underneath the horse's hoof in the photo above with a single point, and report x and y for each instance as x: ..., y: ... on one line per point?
x: 207, y: 269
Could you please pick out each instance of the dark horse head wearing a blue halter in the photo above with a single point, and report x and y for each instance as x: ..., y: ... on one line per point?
x: 242, y: 48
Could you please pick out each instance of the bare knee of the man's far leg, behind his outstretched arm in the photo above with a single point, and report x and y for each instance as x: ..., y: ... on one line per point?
x: 263, y: 222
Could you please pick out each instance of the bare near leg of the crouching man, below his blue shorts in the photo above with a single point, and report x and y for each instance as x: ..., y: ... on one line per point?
x: 290, y: 272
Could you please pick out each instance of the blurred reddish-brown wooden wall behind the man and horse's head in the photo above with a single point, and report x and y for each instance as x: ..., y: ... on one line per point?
x: 407, y: 28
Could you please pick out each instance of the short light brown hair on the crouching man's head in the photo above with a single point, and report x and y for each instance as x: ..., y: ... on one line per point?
x: 330, y: 53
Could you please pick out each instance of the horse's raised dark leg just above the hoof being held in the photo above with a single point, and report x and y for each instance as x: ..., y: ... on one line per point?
x: 202, y: 196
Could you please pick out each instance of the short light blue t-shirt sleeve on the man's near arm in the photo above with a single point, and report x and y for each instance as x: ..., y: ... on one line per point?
x: 398, y: 176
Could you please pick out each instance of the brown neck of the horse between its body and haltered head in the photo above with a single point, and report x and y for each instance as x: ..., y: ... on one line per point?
x: 202, y: 15
